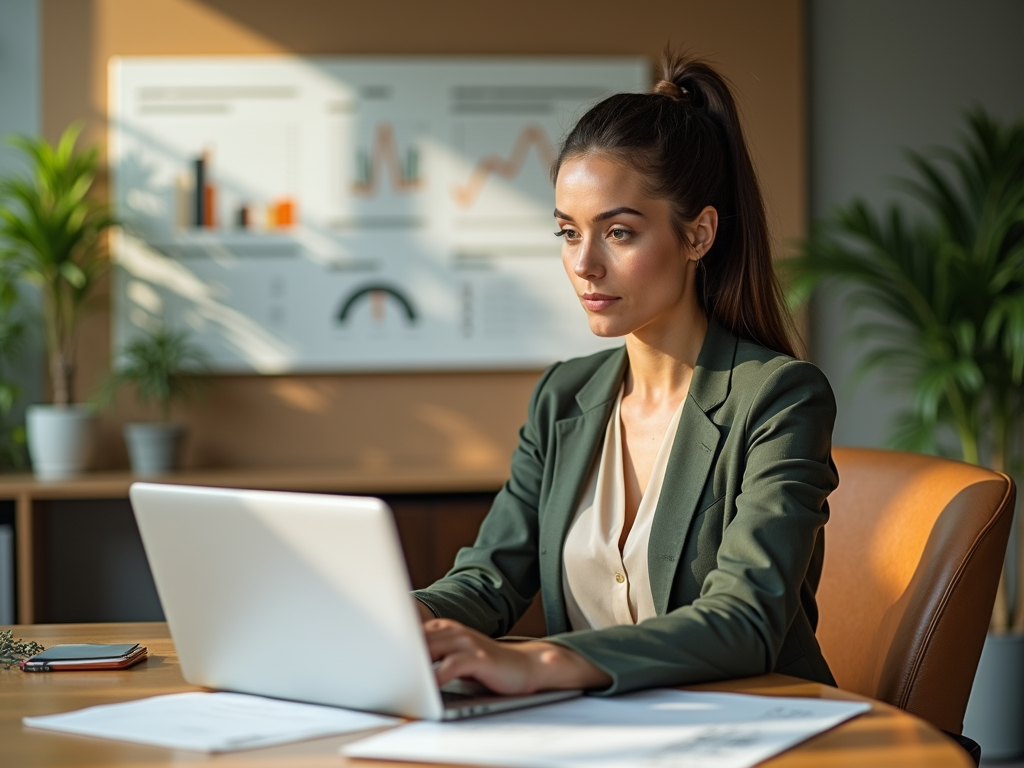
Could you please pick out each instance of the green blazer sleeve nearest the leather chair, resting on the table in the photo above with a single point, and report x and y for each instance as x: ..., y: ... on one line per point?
x: 737, y: 626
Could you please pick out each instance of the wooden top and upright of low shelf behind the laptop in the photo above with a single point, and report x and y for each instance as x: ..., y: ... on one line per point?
x: 28, y: 493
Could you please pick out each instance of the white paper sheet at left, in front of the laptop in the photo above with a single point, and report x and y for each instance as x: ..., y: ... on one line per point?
x: 210, y: 722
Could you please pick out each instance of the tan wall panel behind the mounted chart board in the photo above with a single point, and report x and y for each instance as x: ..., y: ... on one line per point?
x: 460, y: 420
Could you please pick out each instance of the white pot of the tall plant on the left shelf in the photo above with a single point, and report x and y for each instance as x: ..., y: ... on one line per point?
x: 60, y: 440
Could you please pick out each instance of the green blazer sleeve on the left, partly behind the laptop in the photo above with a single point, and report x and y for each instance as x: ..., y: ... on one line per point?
x: 492, y: 584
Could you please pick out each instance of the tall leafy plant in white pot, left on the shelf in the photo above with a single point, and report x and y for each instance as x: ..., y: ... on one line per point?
x: 52, y: 235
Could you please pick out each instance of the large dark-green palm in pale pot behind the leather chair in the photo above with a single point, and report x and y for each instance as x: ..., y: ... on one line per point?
x: 947, y: 298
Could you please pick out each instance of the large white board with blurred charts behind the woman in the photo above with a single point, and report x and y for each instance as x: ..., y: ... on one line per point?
x: 350, y: 215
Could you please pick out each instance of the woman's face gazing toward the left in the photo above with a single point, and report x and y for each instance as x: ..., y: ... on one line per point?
x: 627, y: 265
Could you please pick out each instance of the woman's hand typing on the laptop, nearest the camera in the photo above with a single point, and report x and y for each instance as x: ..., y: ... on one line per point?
x: 507, y: 668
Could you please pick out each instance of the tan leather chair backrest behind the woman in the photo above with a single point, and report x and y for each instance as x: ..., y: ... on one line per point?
x: 914, y: 551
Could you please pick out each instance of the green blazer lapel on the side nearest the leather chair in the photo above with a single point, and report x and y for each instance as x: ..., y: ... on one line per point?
x: 690, y: 463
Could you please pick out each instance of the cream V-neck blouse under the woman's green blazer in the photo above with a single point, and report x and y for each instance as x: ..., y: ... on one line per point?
x: 605, y: 587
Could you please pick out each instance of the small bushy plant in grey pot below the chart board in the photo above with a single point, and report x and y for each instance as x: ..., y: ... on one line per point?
x: 161, y: 367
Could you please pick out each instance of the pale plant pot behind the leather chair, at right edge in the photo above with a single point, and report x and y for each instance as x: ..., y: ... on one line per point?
x: 996, y: 711
